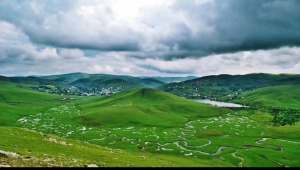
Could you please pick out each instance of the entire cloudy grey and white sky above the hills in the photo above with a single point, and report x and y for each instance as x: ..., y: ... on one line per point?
x: 149, y: 37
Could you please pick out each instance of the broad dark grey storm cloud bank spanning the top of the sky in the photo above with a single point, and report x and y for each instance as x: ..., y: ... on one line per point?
x: 200, y: 29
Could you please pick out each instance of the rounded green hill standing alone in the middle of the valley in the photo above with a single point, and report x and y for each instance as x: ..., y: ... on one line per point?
x: 144, y: 106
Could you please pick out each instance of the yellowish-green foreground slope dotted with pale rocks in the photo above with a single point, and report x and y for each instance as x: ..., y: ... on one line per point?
x: 34, y: 149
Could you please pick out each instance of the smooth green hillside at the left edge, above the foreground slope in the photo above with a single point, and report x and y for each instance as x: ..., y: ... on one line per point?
x: 16, y: 102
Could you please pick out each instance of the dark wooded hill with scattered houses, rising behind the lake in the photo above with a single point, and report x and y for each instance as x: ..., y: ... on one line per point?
x: 226, y: 87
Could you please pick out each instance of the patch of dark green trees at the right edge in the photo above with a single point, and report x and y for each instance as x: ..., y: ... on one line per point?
x: 284, y: 116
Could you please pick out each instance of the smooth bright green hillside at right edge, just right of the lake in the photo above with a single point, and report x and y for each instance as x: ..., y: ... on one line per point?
x: 279, y: 96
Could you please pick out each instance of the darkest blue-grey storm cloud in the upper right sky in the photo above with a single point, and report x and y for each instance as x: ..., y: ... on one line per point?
x: 238, y: 26
